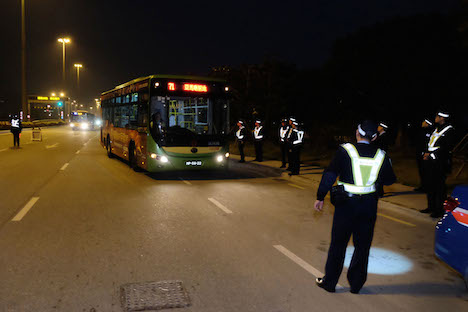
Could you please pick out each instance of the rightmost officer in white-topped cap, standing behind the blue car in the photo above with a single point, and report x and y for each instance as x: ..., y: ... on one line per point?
x: 437, y: 163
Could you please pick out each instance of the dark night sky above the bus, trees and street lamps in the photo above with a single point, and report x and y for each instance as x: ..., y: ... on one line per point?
x: 119, y: 40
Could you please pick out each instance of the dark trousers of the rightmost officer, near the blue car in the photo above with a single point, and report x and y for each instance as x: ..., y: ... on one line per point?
x: 435, y: 176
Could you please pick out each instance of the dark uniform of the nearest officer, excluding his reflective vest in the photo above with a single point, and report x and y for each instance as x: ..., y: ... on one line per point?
x: 355, y: 216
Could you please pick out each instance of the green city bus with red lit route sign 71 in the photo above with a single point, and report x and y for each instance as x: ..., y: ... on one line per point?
x: 167, y: 122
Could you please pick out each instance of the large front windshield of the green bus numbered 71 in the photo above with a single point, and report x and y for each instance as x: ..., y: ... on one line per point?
x: 185, y: 121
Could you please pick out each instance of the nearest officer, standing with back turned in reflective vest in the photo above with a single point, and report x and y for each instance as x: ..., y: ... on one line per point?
x: 359, y: 167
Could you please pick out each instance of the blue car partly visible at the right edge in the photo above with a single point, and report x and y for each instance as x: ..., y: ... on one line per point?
x: 451, y: 235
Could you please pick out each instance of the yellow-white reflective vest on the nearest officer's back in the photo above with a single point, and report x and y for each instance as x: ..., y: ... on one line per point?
x: 365, y: 170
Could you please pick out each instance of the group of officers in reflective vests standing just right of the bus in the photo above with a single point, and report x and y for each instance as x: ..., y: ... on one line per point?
x: 290, y: 140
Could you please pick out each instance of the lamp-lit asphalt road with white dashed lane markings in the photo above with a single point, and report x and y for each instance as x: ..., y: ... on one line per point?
x: 242, y: 240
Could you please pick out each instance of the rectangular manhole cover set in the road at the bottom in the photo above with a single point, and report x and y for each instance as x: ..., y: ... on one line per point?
x: 153, y: 296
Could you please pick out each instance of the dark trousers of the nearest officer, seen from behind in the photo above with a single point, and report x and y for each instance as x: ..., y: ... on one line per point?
x: 356, y: 217
